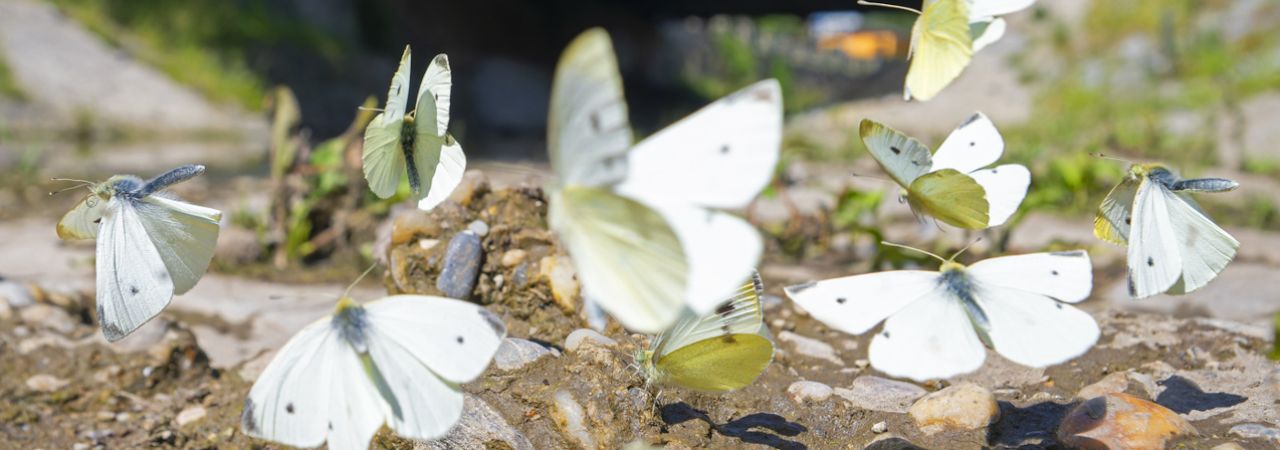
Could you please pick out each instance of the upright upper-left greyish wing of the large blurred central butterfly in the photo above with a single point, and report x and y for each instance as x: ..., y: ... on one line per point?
x: 588, y: 132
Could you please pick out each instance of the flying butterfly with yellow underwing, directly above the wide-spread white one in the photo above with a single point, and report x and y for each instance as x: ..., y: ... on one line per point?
x: 952, y: 185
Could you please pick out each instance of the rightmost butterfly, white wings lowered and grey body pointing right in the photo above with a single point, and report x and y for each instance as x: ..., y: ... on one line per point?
x: 1173, y: 245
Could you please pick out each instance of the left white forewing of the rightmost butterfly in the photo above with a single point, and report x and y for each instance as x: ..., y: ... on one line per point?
x: 1154, y: 258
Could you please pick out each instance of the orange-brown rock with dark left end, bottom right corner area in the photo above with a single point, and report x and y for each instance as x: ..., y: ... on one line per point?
x: 1121, y: 421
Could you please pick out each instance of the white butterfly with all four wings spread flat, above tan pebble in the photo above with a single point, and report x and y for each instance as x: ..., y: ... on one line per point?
x: 939, y: 324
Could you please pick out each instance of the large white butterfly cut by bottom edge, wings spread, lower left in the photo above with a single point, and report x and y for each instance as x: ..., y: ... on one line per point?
x: 397, y: 361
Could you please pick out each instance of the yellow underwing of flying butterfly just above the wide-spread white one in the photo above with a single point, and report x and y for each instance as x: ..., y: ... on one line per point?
x: 952, y: 198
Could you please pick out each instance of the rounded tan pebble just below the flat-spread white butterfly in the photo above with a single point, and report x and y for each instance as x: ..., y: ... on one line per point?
x: 958, y: 407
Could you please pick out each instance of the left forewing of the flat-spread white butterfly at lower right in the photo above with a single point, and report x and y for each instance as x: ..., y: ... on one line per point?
x: 856, y: 304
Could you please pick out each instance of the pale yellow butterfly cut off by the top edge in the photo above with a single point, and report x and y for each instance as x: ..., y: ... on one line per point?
x: 945, y: 38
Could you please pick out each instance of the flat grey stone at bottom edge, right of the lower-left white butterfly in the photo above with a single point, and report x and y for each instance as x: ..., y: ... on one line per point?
x: 479, y: 426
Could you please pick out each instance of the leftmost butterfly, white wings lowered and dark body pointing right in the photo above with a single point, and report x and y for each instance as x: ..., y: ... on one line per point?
x: 150, y: 246
